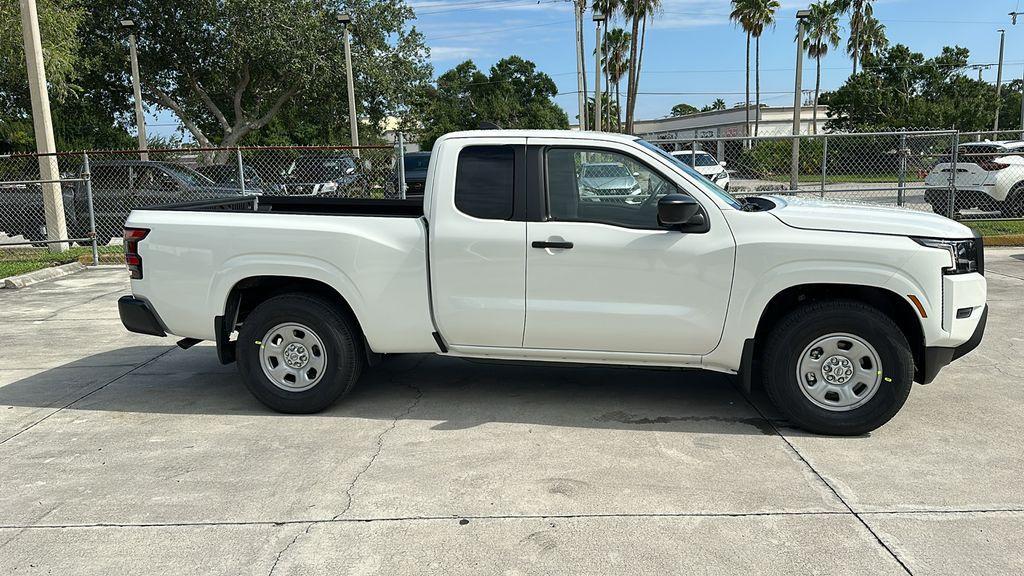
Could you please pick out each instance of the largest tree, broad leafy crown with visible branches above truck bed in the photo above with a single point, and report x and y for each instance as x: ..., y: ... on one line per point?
x: 229, y: 69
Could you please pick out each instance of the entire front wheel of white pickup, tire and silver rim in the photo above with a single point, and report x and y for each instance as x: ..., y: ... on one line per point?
x: 838, y: 367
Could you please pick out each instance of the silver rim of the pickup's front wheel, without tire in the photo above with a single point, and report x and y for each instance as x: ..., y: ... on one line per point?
x: 839, y: 373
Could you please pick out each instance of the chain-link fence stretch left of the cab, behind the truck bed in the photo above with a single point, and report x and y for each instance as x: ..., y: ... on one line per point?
x: 100, y: 189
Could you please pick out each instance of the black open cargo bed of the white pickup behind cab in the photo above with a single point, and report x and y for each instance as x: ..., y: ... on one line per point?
x: 315, y: 205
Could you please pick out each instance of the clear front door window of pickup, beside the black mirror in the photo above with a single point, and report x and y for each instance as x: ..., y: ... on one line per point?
x: 604, y: 187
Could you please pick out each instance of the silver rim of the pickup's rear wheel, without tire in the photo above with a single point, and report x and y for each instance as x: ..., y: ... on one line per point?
x: 293, y: 357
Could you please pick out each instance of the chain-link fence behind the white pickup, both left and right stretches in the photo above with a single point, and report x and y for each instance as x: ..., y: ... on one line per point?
x: 968, y: 177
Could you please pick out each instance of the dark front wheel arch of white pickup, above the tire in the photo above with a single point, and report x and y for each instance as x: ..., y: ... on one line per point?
x: 892, y: 305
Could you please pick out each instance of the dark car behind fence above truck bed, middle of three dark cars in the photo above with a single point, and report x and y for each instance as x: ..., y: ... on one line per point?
x: 329, y: 176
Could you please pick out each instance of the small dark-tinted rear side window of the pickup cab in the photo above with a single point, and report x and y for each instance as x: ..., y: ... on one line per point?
x: 485, y: 182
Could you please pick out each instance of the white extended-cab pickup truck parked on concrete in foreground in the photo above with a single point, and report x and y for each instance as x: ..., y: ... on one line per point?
x: 836, y: 310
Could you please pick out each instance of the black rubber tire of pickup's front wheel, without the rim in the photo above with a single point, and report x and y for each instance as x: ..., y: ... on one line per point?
x: 805, y: 325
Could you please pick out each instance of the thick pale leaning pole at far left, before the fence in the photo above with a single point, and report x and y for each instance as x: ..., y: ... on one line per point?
x: 50, y: 174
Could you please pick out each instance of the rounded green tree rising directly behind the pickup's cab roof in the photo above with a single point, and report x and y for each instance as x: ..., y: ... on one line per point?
x: 514, y: 96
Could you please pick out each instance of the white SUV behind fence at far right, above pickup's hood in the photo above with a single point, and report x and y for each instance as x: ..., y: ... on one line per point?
x: 990, y: 178
